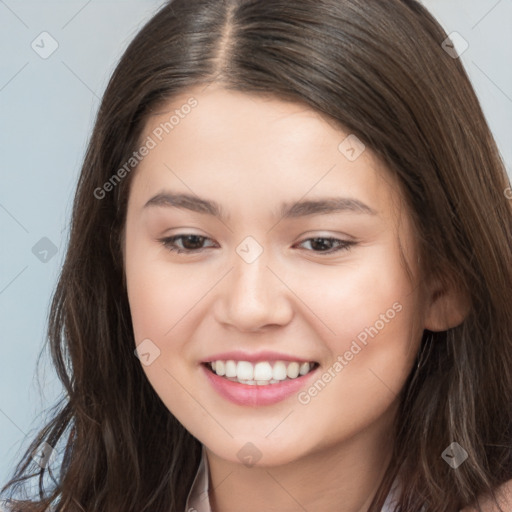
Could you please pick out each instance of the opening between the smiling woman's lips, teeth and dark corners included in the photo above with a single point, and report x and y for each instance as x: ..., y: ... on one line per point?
x: 260, y: 373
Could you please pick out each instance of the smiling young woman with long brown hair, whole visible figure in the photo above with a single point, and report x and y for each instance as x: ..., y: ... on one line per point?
x: 289, y: 275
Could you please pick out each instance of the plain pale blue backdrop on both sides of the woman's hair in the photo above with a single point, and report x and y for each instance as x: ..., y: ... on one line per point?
x: 47, y: 107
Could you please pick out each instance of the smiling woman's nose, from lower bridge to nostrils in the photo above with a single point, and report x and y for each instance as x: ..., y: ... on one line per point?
x: 254, y: 297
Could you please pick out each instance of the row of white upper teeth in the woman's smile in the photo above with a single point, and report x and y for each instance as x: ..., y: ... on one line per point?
x: 262, y: 371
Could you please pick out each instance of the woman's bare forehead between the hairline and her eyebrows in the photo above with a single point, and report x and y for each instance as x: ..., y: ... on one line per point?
x: 243, y: 145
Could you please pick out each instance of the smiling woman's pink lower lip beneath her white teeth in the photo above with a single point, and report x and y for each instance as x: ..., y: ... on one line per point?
x: 244, y: 394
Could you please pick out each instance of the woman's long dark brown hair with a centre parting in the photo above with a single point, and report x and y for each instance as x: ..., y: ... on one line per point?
x: 377, y: 68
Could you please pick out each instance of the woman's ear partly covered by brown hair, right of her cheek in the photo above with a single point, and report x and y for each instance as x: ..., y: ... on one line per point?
x: 446, y: 307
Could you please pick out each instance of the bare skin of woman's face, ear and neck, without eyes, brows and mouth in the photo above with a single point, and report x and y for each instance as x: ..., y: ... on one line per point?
x: 250, y: 154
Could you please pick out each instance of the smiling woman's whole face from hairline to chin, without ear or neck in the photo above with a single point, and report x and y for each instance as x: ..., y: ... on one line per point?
x: 259, y: 237
